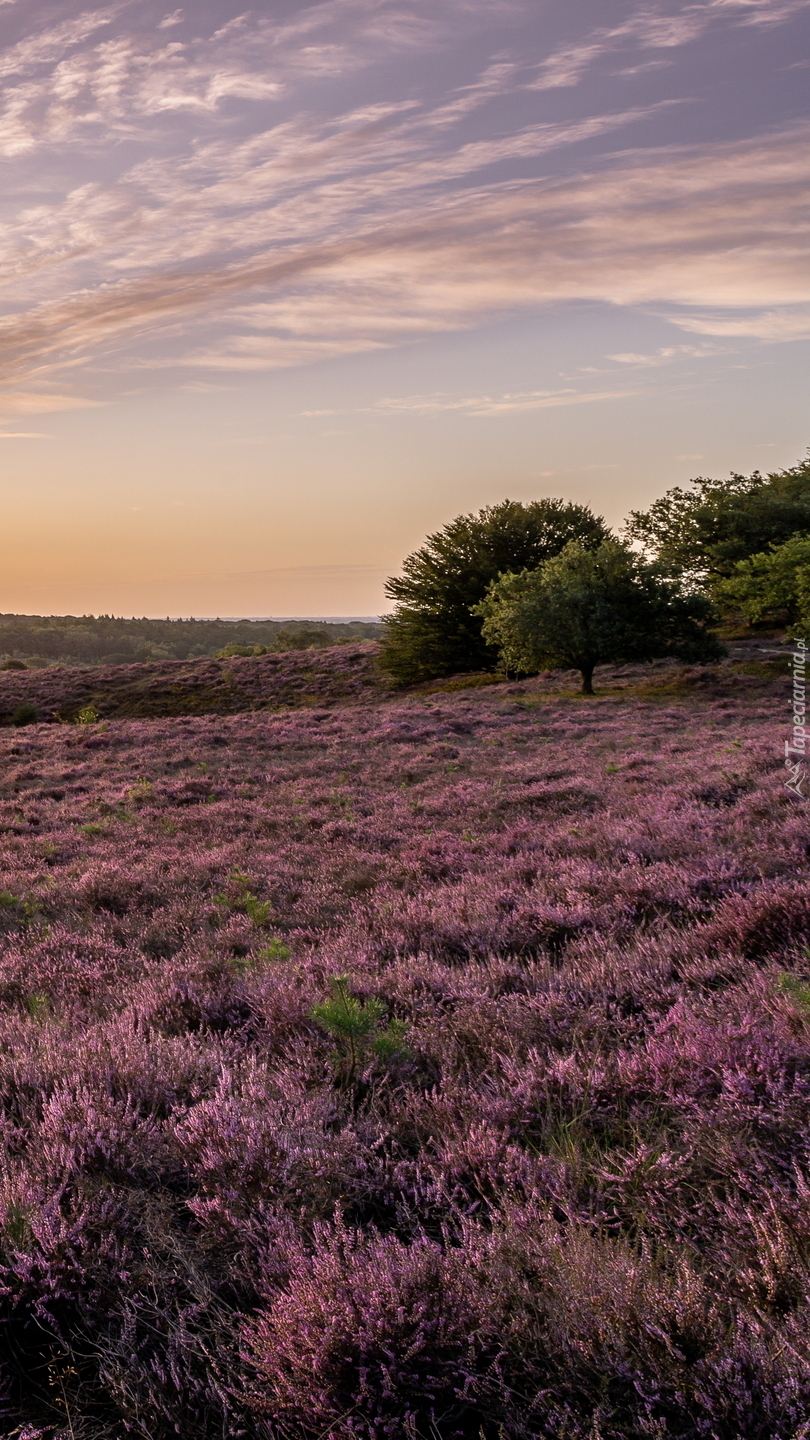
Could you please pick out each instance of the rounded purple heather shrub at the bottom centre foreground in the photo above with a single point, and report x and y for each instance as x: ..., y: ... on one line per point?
x: 371, y: 1338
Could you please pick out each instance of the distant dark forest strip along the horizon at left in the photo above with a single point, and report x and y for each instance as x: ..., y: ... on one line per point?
x: 89, y: 640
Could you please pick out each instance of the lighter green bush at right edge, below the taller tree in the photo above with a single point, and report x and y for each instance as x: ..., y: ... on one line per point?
x: 772, y: 585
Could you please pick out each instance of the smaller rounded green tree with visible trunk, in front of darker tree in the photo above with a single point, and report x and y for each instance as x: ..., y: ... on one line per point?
x: 586, y: 608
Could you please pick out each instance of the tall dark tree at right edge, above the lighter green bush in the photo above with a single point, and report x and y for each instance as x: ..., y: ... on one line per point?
x: 707, y: 531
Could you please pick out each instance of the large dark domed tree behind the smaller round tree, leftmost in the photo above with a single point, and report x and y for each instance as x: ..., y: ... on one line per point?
x: 435, y: 630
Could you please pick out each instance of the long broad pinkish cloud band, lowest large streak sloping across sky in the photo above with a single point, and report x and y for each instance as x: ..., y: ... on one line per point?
x: 707, y: 233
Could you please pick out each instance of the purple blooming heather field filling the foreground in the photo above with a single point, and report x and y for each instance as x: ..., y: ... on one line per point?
x: 427, y: 1066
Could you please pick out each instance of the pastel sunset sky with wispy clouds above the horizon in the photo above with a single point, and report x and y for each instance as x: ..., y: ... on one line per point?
x: 285, y: 290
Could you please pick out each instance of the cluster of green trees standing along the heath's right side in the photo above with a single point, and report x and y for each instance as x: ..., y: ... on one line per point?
x: 547, y: 585
